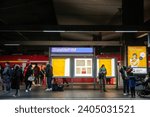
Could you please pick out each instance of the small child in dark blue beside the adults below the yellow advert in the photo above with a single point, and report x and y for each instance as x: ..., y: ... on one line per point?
x: 132, y: 84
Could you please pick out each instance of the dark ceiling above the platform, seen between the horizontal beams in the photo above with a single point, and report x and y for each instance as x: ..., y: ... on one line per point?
x: 59, y: 12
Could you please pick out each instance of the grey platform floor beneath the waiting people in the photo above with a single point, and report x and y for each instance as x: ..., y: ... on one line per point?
x: 40, y: 93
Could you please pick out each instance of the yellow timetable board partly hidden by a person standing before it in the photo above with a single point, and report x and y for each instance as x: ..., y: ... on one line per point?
x: 109, y: 64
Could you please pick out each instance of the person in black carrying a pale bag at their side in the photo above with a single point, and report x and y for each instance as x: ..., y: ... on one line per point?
x: 29, y: 73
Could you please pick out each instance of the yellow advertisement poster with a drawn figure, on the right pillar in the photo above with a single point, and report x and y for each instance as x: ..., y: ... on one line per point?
x: 137, y: 59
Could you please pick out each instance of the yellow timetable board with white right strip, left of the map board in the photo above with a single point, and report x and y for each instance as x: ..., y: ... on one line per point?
x: 61, y: 67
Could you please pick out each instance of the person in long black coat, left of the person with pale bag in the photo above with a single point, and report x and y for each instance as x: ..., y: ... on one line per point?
x: 16, y: 79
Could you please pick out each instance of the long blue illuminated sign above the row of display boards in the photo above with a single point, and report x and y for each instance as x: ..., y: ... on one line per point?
x: 80, y: 50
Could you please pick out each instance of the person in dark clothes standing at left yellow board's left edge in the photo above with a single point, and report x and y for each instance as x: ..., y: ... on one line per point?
x: 49, y: 76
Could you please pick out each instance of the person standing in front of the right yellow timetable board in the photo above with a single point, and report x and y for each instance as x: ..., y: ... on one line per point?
x: 102, y: 76
